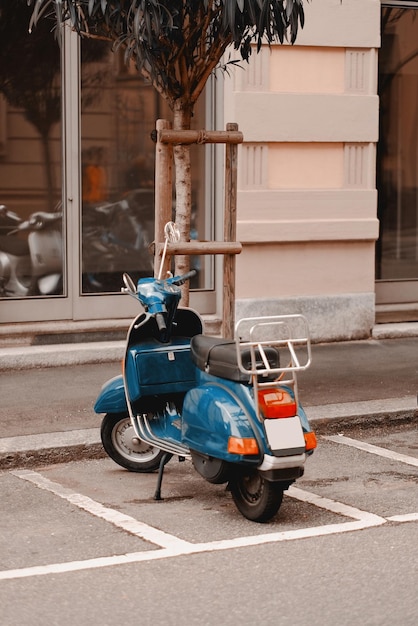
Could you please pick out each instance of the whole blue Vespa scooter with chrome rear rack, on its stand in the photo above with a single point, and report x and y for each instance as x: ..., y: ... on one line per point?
x: 229, y: 406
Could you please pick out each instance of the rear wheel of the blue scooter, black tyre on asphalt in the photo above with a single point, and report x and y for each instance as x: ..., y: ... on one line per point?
x: 255, y: 497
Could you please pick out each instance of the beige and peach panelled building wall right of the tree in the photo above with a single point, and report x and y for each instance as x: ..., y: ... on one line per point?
x: 307, y: 200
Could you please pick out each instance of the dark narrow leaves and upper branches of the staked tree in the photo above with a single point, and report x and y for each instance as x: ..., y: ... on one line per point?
x: 178, y: 43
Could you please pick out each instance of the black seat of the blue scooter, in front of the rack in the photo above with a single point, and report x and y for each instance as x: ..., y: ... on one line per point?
x: 218, y: 357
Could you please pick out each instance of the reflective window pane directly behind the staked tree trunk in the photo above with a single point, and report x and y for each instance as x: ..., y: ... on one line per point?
x: 119, y: 111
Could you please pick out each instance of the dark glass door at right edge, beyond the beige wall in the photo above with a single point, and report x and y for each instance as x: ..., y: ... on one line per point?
x: 397, y: 161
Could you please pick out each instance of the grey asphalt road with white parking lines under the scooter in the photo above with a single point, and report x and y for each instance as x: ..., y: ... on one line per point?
x: 85, y: 543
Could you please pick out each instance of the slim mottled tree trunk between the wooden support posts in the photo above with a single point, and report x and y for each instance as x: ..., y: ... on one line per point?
x: 183, y: 185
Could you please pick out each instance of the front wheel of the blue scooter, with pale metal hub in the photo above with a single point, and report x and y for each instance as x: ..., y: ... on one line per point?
x: 125, y: 448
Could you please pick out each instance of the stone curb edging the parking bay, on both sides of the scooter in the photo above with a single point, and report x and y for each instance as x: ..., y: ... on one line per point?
x: 62, y: 447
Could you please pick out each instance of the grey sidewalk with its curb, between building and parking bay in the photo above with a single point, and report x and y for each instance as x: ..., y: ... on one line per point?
x: 48, y: 391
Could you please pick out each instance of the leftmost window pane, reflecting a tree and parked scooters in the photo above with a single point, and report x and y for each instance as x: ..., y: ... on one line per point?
x: 31, y: 246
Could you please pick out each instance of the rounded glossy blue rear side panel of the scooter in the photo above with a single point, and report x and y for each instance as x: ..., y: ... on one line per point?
x: 211, y: 414
